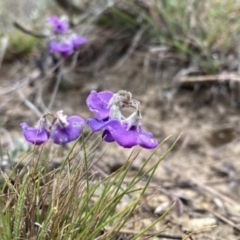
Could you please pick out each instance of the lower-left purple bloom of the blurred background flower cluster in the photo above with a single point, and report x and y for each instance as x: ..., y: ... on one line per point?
x: 65, y: 49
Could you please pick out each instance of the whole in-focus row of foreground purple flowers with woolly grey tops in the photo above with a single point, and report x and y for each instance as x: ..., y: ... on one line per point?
x: 107, y: 108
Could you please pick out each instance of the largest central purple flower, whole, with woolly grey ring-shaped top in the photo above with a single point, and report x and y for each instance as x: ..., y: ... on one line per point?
x: 127, y: 132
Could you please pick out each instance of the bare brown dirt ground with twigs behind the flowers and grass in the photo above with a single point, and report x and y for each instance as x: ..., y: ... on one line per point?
x: 201, y: 174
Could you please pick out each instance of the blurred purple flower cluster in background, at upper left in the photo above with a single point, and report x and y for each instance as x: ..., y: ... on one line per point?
x: 64, y: 41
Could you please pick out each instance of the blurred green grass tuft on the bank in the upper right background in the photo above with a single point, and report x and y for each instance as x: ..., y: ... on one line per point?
x: 204, y: 32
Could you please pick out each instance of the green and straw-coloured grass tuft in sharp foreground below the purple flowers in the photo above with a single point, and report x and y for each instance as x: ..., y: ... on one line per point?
x: 72, y: 202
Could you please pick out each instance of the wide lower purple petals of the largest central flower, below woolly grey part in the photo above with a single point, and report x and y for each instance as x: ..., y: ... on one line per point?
x: 114, y: 130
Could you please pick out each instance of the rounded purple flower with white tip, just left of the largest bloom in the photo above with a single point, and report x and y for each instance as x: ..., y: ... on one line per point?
x: 67, y: 129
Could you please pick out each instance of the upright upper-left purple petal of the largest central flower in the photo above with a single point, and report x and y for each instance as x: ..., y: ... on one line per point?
x: 98, y: 103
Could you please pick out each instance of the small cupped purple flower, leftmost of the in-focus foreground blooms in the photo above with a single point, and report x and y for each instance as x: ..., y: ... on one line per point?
x: 37, y: 135
